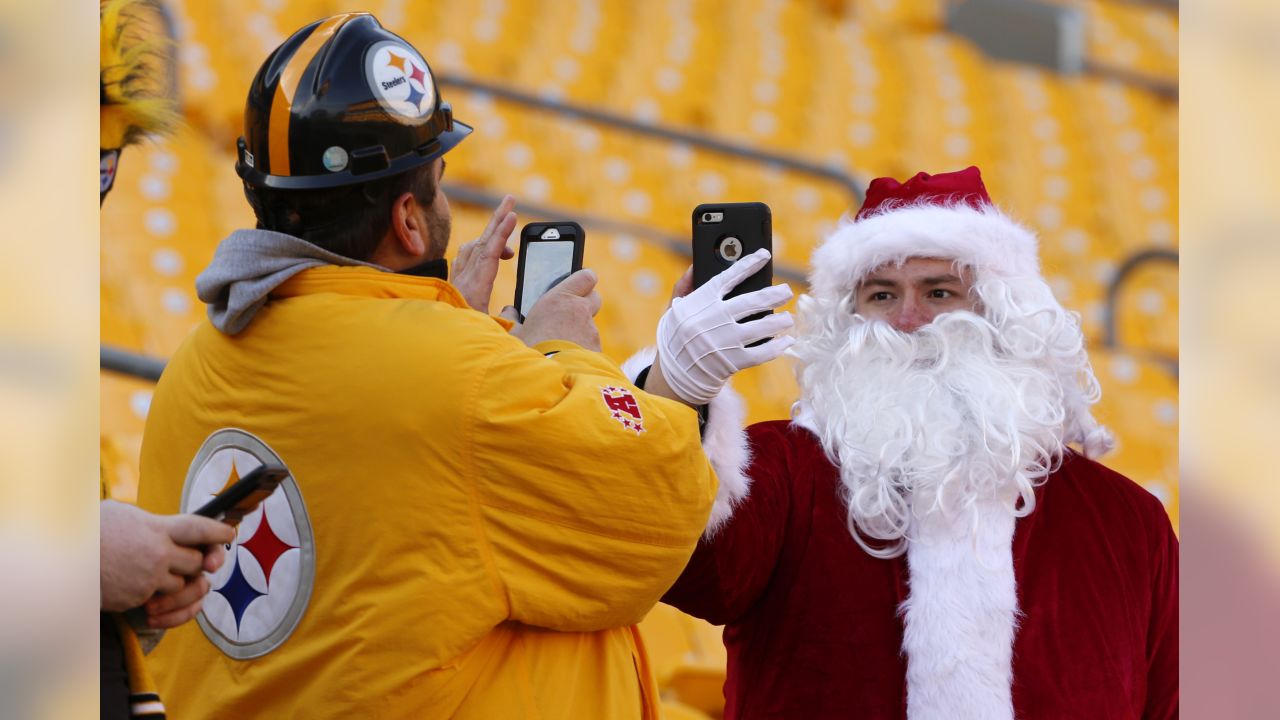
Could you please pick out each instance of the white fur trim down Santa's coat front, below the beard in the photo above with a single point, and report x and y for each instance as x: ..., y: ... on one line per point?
x: 962, y: 617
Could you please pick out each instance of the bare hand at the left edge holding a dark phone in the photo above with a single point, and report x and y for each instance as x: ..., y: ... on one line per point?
x: 144, y: 554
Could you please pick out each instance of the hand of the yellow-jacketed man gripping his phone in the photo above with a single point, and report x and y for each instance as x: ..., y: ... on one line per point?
x: 565, y: 312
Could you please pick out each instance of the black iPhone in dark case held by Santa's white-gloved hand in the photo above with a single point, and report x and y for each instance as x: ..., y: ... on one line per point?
x: 725, y: 234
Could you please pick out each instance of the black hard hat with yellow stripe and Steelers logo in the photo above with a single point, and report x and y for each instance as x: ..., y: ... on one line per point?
x: 342, y: 102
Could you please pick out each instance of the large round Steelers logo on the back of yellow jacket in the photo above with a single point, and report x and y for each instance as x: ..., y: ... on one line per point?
x: 259, y: 595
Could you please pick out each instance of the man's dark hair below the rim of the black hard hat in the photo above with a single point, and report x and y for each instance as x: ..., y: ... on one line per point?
x: 349, y: 221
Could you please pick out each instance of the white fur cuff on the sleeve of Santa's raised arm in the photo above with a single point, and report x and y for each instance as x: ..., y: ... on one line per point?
x: 724, y: 443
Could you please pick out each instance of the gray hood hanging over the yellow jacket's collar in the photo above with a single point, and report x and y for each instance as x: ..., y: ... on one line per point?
x: 249, y: 266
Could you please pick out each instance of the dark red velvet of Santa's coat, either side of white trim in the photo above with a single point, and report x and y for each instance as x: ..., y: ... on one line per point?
x: 812, y: 622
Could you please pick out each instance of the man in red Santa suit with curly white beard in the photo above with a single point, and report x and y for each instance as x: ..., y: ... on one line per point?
x: 930, y: 536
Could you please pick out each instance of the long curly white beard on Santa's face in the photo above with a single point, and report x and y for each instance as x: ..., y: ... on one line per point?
x: 956, y: 416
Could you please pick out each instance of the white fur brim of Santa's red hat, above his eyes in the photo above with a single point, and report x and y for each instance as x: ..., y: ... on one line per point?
x: 986, y: 240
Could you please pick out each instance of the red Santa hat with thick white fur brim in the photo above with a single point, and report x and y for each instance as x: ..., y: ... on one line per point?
x: 944, y: 216
